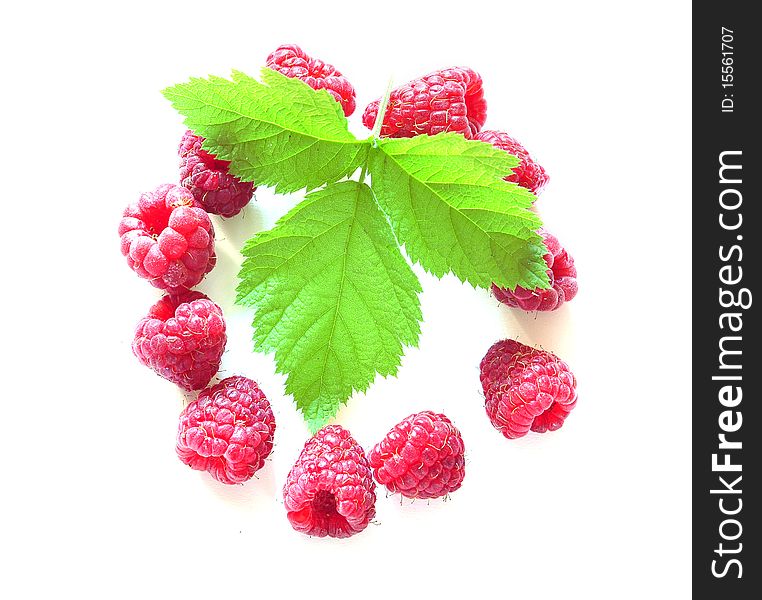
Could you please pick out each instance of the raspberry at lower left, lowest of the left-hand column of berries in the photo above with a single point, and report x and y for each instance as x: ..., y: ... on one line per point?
x: 228, y: 430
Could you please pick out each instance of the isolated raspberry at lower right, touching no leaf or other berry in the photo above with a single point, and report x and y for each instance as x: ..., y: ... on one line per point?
x: 525, y: 389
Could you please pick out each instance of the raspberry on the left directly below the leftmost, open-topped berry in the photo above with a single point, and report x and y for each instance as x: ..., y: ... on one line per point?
x: 182, y: 338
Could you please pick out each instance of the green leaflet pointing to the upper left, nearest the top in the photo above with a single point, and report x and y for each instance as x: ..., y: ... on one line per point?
x: 279, y: 132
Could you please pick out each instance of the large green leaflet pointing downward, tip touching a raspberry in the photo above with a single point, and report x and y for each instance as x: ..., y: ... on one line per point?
x: 335, y: 299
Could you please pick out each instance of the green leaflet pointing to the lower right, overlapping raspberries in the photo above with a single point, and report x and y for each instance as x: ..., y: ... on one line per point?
x: 450, y: 207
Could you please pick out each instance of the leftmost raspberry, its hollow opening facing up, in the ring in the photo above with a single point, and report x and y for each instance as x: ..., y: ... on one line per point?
x: 168, y: 238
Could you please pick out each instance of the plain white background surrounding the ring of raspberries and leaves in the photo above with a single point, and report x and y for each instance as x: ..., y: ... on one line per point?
x: 97, y: 504
